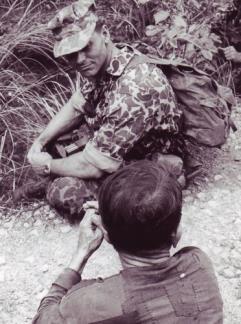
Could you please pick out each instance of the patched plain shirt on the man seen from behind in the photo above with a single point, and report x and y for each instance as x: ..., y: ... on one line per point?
x: 180, y: 290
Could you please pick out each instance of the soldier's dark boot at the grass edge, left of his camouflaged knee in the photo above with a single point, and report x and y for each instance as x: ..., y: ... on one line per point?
x: 35, y: 190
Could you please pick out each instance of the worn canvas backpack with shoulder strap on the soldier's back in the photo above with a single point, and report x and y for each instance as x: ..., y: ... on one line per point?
x: 206, y: 105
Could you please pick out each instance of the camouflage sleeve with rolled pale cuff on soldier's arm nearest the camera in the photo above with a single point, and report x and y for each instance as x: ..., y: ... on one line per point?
x: 141, y: 100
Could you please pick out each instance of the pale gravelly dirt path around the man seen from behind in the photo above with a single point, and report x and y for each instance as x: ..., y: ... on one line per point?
x: 36, y: 245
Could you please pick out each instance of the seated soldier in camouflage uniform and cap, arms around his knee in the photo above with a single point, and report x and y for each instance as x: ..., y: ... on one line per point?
x: 129, y: 109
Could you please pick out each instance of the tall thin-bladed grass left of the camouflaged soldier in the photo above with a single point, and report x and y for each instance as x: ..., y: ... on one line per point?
x: 30, y: 90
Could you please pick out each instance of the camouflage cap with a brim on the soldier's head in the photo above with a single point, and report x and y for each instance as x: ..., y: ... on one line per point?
x: 73, y: 27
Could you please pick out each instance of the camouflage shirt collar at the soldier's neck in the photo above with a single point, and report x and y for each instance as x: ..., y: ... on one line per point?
x: 119, y: 62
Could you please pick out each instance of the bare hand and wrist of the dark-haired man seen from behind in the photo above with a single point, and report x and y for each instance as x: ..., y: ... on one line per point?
x: 90, y: 238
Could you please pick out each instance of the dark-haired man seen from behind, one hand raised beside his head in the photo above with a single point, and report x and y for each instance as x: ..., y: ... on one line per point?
x: 140, y: 209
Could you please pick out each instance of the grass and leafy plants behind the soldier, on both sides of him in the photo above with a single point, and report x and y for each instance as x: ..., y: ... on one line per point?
x: 33, y: 86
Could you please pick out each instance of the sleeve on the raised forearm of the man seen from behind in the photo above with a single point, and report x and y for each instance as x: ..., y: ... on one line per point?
x: 48, y: 311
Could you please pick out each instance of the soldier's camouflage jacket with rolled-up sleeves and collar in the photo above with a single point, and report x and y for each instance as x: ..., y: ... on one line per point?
x: 132, y: 112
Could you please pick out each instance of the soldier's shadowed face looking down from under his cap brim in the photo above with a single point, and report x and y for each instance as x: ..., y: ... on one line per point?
x: 91, y: 59
